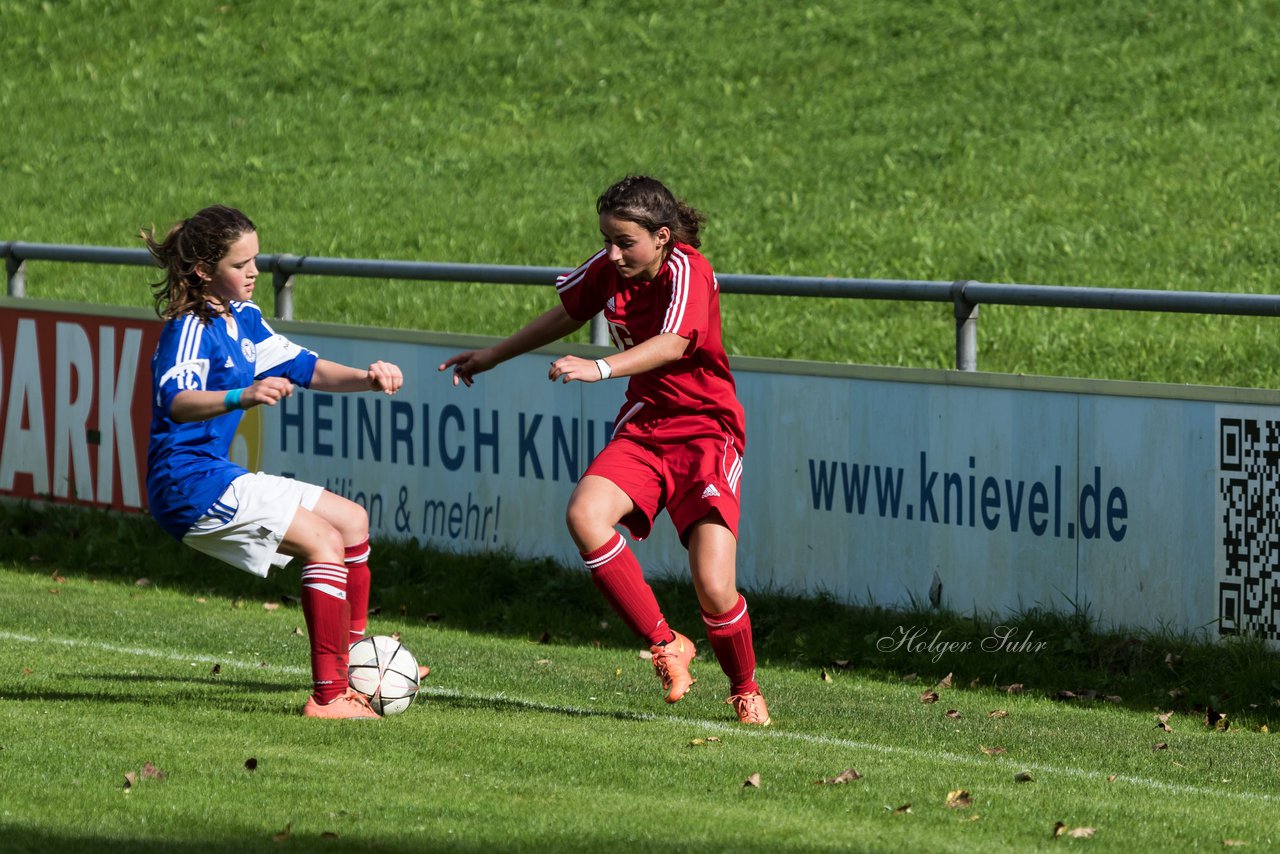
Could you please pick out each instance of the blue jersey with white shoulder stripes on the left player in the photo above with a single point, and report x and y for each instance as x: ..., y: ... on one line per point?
x: 189, y: 465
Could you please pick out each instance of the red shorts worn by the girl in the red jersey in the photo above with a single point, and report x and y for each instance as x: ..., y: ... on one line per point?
x: 687, y: 465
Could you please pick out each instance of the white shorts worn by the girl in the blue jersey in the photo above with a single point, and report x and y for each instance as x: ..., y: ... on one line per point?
x: 246, y: 526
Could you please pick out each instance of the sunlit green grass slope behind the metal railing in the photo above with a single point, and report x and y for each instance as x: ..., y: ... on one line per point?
x: 1030, y: 143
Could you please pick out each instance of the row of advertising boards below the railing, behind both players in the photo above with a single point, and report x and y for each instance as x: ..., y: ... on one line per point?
x: 1150, y: 506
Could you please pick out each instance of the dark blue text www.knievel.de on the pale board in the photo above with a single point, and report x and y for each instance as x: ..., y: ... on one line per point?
x: 972, y: 499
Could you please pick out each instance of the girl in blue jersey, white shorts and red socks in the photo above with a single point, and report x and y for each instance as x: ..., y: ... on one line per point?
x: 218, y: 358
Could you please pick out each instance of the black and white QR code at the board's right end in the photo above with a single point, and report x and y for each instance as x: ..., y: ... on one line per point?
x: 1249, y: 486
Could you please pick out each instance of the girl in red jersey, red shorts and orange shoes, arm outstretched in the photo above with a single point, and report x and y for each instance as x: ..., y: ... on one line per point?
x: 678, y: 442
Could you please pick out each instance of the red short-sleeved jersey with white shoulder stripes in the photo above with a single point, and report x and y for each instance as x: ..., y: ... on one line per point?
x: 684, y: 299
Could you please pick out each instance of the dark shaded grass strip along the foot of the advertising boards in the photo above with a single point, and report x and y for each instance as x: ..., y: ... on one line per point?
x: 1064, y: 656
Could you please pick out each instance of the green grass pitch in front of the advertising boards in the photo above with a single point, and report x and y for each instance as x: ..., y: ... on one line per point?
x: 559, y: 745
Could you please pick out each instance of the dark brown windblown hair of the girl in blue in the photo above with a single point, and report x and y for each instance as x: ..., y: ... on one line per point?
x: 203, y: 239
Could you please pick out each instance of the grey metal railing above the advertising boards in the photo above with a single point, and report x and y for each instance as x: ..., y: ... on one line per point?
x: 966, y: 295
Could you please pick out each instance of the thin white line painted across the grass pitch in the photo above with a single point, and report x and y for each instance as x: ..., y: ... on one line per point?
x: 889, y: 750
